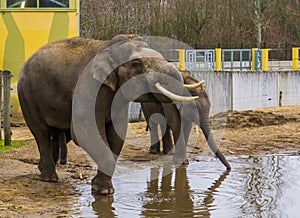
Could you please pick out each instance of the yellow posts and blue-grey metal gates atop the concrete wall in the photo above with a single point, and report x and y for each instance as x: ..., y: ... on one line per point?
x: 231, y: 59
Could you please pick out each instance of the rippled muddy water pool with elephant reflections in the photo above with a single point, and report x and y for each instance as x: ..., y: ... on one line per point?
x: 255, y: 187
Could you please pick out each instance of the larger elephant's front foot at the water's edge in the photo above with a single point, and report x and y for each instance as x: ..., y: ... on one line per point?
x: 102, y: 185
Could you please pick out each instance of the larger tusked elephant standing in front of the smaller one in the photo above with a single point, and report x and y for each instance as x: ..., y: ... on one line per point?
x: 80, y: 88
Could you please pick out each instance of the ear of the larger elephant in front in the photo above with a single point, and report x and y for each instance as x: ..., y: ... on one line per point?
x: 103, y: 69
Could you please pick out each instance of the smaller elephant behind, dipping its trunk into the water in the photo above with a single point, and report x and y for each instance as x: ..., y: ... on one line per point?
x: 180, y: 123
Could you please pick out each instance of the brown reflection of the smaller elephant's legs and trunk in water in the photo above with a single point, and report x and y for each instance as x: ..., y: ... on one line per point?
x: 177, y: 201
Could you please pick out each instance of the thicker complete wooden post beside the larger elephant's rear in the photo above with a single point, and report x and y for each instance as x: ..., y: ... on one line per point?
x: 6, y: 107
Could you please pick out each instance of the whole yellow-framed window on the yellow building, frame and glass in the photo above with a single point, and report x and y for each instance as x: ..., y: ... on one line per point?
x: 37, y: 4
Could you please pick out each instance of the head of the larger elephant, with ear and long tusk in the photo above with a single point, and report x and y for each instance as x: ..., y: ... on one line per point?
x: 128, y: 59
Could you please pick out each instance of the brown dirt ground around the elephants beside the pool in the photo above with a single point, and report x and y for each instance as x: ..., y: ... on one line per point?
x: 22, y: 194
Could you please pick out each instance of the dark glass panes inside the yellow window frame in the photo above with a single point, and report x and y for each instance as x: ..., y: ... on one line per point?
x: 37, y: 3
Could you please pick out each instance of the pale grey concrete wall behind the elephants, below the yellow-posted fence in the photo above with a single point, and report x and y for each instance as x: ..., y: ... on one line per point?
x: 245, y: 90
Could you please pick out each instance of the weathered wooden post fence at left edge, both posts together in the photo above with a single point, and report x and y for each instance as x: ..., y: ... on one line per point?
x: 5, y: 83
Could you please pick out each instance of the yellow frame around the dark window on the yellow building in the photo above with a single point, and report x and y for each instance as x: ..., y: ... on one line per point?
x: 72, y: 7
